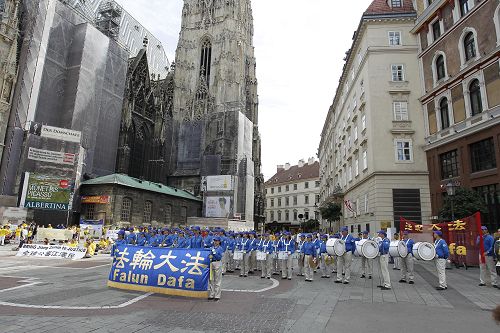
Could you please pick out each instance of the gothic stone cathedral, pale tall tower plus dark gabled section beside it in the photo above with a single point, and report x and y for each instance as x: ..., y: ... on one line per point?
x: 207, y: 123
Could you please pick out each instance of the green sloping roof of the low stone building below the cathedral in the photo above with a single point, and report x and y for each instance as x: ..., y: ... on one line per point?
x: 124, y: 180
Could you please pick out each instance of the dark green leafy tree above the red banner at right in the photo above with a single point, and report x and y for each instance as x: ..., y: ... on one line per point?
x: 466, y: 202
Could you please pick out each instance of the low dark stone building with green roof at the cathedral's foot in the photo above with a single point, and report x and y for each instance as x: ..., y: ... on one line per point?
x: 122, y: 200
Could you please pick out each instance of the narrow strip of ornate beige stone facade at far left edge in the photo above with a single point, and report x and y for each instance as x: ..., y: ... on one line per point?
x: 8, y: 62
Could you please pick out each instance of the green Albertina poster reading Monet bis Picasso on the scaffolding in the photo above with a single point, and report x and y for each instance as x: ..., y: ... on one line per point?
x: 45, y: 192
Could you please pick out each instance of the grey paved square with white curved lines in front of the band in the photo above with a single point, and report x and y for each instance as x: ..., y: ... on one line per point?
x: 61, y: 296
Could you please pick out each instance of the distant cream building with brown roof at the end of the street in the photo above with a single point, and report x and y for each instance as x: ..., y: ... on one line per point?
x: 292, y: 194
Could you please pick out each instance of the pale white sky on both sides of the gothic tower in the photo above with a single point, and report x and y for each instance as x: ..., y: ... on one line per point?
x: 299, y: 46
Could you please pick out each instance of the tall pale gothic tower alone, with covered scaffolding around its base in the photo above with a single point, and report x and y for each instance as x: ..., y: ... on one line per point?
x: 215, y: 101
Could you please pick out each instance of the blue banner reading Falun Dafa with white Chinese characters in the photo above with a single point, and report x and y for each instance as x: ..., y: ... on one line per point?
x: 179, y: 272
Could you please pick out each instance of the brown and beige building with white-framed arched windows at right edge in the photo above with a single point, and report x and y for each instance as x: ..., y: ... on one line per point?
x: 459, y: 55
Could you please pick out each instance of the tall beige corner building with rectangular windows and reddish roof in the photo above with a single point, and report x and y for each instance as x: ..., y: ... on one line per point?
x: 371, y: 156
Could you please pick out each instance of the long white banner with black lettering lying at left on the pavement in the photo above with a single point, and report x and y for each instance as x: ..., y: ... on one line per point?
x: 51, y: 251
